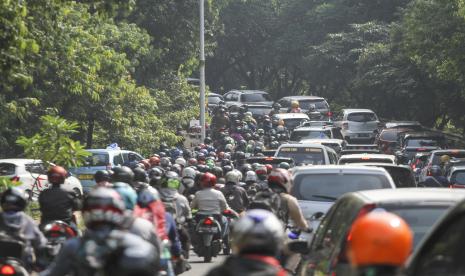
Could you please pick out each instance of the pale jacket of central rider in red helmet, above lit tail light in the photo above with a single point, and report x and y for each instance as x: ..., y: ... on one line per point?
x: 209, y: 201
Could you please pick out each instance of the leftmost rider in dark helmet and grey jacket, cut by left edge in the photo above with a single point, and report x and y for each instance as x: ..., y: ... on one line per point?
x: 15, y: 224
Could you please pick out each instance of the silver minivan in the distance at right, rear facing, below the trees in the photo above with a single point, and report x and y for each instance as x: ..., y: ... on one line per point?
x: 358, y: 125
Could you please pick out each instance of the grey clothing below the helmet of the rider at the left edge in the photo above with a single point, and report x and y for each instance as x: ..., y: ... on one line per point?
x: 21, y: 227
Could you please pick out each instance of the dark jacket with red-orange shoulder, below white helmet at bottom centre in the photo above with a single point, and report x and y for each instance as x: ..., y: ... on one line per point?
x: 249, y: 265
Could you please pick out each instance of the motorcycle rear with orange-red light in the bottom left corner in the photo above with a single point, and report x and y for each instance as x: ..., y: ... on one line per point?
x: 11, y: 253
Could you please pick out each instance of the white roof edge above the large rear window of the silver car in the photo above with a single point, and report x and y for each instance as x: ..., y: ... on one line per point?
x: 318, y: 169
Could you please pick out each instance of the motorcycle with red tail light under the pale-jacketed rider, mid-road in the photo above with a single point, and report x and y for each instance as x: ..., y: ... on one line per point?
x: 206, y: 237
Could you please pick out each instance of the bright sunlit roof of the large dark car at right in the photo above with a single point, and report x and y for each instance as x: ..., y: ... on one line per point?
x: 406, y: 195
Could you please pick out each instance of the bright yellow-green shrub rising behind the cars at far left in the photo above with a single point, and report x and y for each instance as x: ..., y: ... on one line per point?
x: 53, y: 143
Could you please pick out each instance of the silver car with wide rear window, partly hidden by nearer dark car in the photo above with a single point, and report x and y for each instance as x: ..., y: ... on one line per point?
x: 318, y: 187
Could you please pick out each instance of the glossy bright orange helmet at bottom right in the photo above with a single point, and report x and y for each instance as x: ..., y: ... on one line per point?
x: 379, y: 238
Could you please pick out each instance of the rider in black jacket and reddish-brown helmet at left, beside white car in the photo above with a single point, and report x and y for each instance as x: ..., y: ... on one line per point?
x: 56, y: 203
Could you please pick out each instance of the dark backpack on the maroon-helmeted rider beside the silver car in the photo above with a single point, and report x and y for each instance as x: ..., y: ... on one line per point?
x: 272, y: 201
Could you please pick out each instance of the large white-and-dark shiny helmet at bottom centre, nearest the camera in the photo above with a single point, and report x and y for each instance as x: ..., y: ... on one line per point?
x: 257, y: 232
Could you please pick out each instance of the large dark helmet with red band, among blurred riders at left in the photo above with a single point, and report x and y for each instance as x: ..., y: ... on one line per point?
x: 103, y: 206
